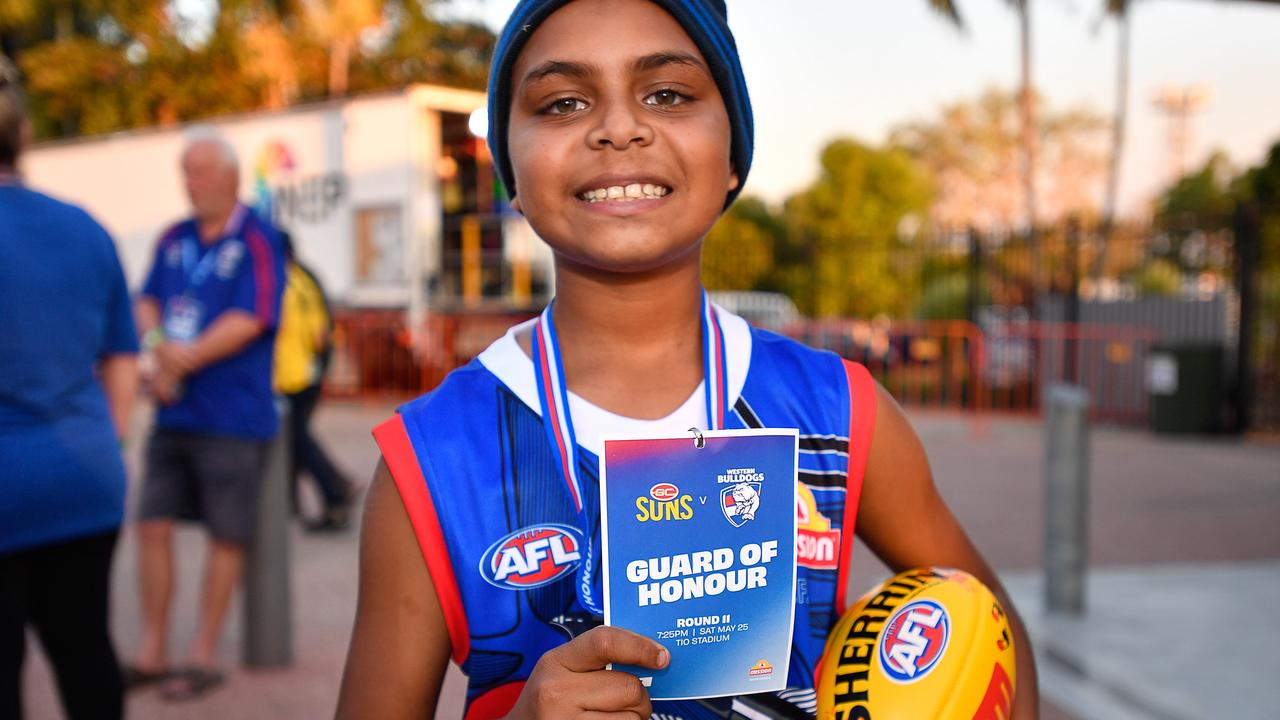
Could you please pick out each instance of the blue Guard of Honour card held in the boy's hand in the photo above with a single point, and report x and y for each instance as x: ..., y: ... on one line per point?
x: 700, y: 555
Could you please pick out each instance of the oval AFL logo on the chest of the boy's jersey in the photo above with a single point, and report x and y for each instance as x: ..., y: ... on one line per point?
x: 532, y: 558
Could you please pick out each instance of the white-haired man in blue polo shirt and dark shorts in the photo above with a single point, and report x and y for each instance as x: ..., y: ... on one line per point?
x: 208, y: 312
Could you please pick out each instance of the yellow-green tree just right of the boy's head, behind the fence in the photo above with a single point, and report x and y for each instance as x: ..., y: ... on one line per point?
x: 848, y: 225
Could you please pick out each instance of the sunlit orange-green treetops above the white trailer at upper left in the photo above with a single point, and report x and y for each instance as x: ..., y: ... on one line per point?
x: 100, y: 66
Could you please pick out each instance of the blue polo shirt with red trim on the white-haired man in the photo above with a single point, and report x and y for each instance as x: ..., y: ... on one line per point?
x: 244, y: 270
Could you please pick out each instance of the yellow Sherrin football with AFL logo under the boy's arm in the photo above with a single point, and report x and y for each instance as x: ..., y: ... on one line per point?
x: 930, y: 642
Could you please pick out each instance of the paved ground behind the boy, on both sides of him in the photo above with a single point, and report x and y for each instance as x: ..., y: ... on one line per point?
x: 1183, y: 540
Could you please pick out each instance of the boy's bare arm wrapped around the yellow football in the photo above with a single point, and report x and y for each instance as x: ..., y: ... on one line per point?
x: 907, y: 525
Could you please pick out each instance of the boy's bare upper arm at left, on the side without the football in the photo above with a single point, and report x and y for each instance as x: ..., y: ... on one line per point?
x: 400, y: 646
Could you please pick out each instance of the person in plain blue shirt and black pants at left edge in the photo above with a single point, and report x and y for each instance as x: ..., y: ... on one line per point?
x: 68, y: 380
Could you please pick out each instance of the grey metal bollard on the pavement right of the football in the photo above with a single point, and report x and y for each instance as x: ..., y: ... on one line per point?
x: 1067, y: 499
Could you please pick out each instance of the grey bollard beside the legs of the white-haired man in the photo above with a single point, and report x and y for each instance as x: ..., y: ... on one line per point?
x: 268, y: 636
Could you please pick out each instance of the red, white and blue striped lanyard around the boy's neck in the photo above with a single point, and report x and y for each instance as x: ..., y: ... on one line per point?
x: 554, y: 397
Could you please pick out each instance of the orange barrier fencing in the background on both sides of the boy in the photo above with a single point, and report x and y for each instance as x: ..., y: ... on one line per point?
x: 925, y: 364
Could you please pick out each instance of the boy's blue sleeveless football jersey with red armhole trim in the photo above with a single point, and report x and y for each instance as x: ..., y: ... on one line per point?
x: 501, y: 536
